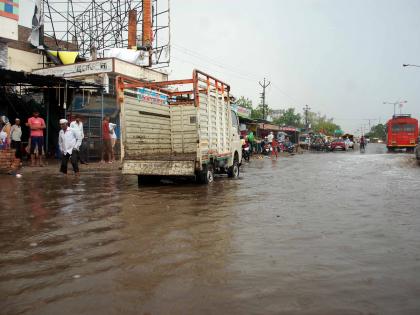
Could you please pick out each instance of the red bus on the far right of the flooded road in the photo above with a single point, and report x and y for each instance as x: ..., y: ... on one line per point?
x: 402, y: 132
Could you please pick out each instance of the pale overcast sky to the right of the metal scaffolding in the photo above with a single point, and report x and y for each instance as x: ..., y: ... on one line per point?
x: 342, y: 58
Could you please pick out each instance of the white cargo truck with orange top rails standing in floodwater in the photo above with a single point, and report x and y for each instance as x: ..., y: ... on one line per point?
x: 178, y: 128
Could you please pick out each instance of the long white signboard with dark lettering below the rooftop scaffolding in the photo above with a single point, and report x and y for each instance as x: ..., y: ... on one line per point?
x: 78, y: 69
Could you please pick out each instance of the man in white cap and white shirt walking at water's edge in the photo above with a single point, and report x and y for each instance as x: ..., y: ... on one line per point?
x: 69, y: 143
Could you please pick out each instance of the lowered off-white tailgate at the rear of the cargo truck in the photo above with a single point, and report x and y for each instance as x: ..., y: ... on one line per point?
x: 162, y: 168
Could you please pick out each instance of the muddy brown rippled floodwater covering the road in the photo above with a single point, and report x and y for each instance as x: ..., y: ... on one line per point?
x: 330, y: 233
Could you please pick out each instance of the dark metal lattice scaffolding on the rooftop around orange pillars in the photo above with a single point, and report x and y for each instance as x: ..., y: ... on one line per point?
x: 104, y: 24
